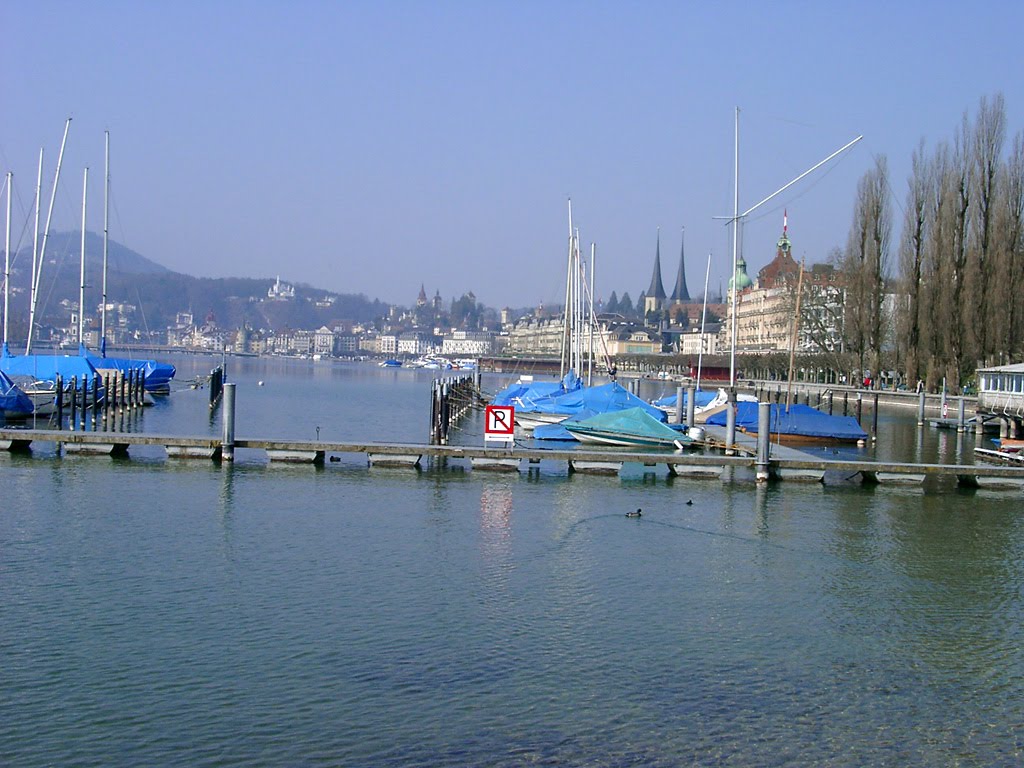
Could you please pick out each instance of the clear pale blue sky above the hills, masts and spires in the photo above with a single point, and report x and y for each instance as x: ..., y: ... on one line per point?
x: 371, y: 147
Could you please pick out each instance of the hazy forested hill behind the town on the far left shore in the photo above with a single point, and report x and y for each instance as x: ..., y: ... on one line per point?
x: 160, y: 294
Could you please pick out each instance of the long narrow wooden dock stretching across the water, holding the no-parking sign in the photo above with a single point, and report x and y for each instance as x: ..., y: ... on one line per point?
x: 785, y: 464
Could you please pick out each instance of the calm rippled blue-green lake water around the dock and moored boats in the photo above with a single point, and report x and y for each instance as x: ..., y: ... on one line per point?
x: 177, y: 613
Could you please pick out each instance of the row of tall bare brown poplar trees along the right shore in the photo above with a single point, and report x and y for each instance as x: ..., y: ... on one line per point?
x: 955, y: 298
